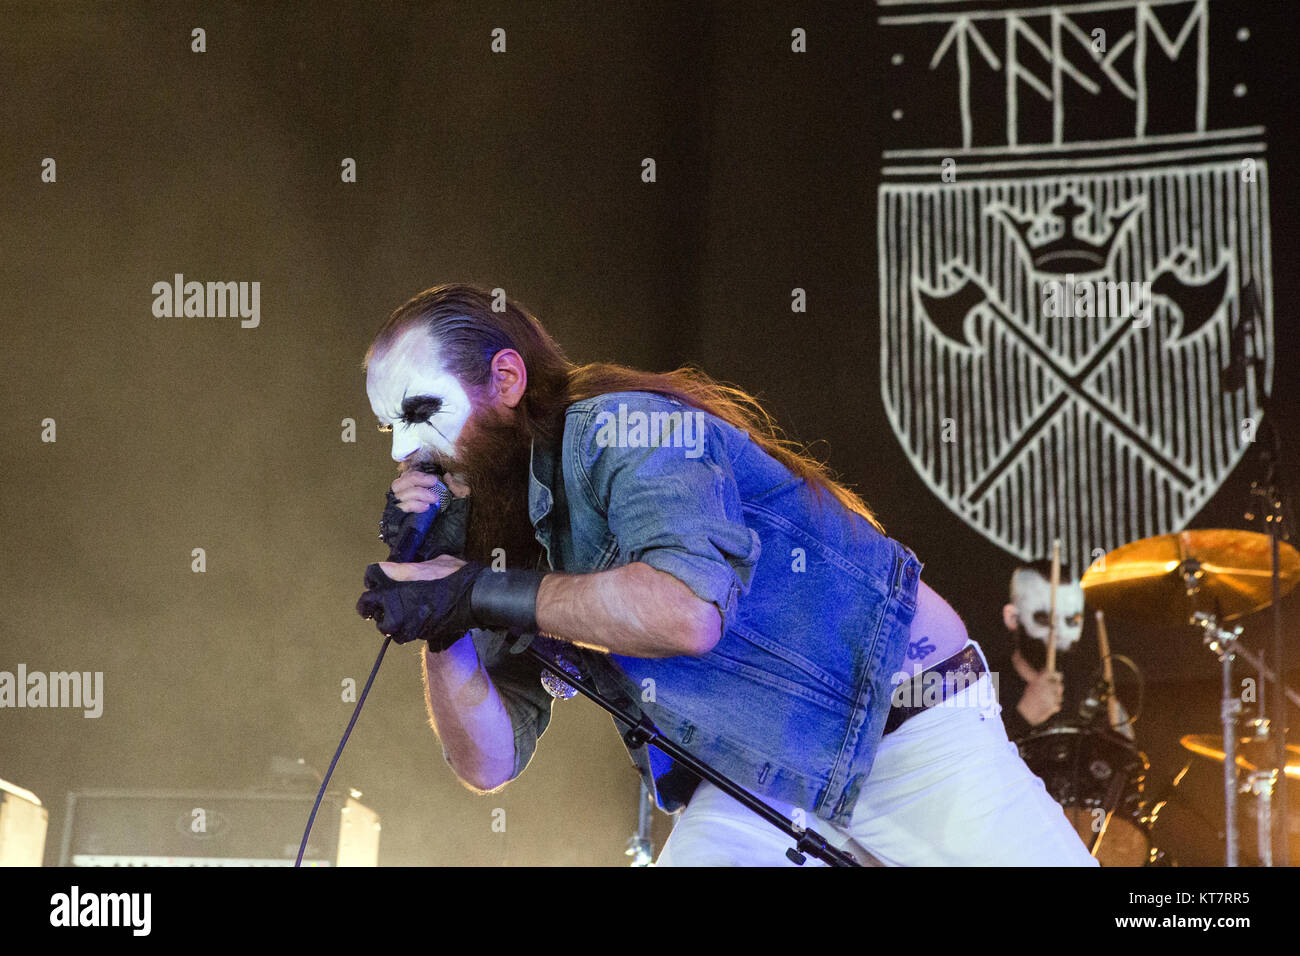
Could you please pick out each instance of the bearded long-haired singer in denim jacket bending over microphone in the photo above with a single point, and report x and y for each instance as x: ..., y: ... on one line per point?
x: 664, y: 543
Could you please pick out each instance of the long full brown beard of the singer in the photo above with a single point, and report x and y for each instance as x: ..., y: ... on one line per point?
x: 493, y: 456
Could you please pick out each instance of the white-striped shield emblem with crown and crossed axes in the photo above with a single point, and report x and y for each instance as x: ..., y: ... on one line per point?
x: 1065, y: 352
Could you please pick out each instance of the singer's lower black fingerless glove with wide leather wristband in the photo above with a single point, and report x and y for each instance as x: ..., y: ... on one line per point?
x: 443, y: 611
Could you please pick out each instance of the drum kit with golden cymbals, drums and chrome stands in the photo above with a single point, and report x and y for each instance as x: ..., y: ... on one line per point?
x: 1199, y: 582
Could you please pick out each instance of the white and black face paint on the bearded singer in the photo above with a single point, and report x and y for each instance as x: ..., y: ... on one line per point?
x: 414, y: 396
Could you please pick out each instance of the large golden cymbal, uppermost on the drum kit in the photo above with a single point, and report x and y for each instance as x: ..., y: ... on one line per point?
x: 1146, y: 579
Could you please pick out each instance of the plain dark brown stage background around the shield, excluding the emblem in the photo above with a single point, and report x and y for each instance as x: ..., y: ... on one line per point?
x: 521, y: 171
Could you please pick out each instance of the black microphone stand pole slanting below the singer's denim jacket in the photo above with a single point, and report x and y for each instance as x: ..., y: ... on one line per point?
x: 642, y: 732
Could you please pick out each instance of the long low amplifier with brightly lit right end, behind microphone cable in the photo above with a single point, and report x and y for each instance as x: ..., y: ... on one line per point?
x: 119, y: 828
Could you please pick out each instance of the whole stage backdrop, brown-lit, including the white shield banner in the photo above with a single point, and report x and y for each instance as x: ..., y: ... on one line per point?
x: 993, y: 258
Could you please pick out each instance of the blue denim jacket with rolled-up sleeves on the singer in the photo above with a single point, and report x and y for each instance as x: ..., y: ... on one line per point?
x: 817, y: 604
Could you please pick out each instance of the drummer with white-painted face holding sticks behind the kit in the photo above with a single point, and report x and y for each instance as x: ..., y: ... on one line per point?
x: 1033, y: 698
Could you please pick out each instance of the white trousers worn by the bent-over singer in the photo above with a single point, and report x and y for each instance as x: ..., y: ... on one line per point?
x: 947, y: 789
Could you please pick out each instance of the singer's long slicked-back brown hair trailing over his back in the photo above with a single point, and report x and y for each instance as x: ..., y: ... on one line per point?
x: 471, y: 326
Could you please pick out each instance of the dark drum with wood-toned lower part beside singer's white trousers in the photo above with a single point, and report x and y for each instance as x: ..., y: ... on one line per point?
x: 1098, y: 777
